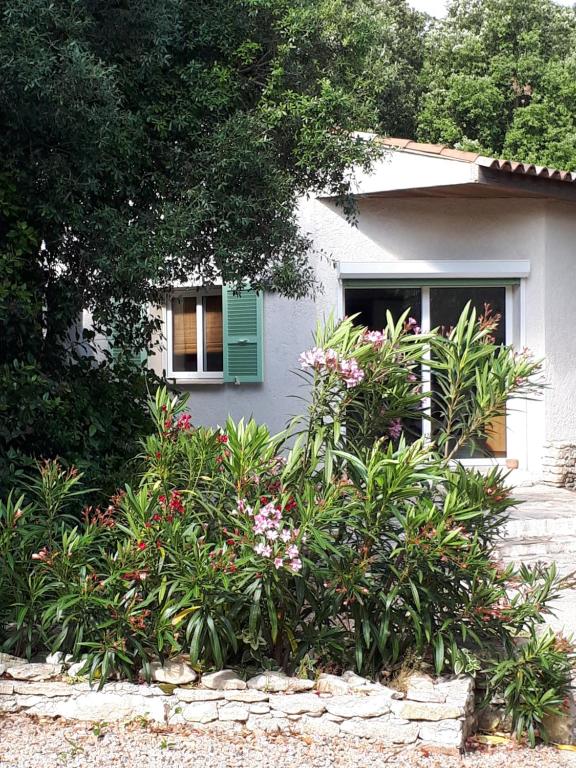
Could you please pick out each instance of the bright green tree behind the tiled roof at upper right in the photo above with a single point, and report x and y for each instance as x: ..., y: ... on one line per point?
x: 499, y: 75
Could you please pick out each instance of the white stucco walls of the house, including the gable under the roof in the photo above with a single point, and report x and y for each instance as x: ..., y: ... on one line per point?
x: 433, y: 229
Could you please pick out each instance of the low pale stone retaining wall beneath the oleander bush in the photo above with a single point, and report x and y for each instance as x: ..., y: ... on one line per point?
x: 433, y: 711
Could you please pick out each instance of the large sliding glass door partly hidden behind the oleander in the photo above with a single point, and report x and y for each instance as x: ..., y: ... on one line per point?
x: 436, y: 304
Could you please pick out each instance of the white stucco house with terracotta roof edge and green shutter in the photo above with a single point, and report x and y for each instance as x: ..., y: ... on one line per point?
x: 436, y: 228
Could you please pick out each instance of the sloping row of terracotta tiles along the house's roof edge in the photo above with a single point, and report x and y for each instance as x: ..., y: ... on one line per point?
x: 506, y: 166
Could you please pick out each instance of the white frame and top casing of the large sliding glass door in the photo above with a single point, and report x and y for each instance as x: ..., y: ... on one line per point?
x: 516, y: 421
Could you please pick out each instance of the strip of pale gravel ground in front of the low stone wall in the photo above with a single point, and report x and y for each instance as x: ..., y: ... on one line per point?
x: 30, y: 743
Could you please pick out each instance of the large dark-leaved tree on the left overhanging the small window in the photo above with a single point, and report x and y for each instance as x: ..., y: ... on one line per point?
x: 144, y: 142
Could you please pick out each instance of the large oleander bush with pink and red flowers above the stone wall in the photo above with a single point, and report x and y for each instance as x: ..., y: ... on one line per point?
x: 345, y: 540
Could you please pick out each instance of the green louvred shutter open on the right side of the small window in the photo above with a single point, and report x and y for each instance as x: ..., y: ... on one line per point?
x: 243, y: 335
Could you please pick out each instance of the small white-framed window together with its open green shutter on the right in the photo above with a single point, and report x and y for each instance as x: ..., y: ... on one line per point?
x: 215, y: 335
